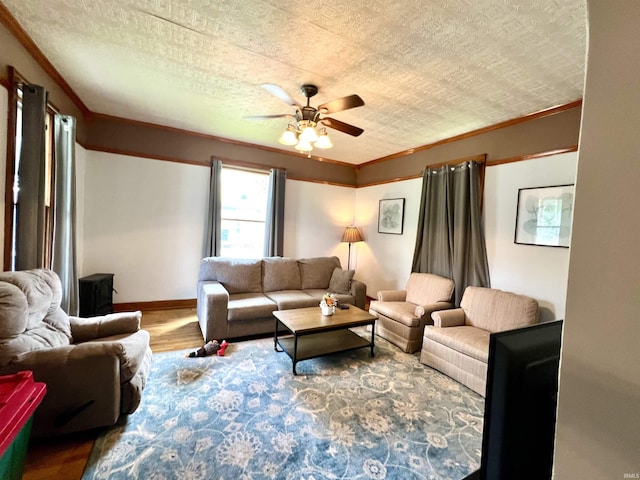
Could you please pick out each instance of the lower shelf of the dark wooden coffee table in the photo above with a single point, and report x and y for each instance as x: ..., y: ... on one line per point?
x: 322, y: 343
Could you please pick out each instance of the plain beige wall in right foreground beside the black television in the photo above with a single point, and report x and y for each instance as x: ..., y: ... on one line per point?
x: 598, y: 428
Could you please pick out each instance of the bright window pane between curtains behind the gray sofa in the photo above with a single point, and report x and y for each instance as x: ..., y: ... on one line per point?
x: 244, y: 212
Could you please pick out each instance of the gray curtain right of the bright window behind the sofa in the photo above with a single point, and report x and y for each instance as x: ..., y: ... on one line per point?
x: 274, y: 226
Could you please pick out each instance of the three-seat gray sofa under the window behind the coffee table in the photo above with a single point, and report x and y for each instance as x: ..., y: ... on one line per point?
x: 237, y: 297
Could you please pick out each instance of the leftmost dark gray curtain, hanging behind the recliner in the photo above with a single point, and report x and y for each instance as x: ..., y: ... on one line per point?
x: 30, y: 220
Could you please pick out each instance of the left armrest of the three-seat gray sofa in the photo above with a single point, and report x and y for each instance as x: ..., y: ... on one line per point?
x: 213, y: 302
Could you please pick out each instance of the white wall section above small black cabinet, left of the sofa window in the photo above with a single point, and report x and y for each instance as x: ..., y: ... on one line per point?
x: 144, y: 221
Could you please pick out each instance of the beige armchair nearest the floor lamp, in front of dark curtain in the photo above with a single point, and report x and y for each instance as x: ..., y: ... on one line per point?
x: 403, y: 314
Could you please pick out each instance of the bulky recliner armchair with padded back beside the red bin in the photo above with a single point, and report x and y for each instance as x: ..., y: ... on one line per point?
x: 94, y: 368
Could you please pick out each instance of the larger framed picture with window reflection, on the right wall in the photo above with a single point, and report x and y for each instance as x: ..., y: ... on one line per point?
x: 544, y: 216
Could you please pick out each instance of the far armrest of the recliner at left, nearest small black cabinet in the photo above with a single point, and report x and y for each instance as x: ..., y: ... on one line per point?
x: 83, y: 329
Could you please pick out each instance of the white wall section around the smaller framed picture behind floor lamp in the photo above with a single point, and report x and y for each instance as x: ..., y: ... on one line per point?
x: 383, y: 261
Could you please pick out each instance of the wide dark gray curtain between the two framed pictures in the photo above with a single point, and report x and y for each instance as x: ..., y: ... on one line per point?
x: 450, y: 238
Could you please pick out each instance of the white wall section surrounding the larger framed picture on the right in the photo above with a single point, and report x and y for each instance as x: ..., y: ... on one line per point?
x: 540, y: 272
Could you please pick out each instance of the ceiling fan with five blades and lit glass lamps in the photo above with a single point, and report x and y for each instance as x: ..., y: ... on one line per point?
x: 302, y: 131
